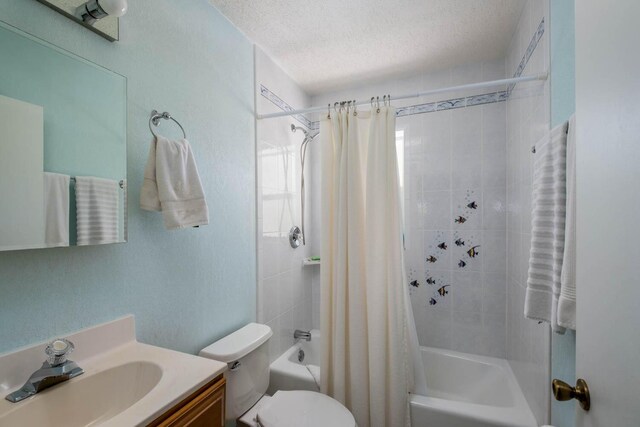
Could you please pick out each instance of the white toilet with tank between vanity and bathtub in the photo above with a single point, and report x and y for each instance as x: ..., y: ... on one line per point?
x: 245, y: 352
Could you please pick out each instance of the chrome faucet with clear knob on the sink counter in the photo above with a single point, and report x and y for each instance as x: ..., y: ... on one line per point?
x: 54, y: 370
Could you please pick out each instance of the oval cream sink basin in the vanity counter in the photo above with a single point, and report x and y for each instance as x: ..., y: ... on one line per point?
x: 87, y: 400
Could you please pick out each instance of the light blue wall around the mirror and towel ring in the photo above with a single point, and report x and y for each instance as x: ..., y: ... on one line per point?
x: 188, y: 287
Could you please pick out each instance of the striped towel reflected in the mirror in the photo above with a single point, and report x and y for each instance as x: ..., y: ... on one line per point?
x: 96, y: 210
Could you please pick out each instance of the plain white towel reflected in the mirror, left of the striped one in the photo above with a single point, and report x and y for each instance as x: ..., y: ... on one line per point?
x: 56, y: 209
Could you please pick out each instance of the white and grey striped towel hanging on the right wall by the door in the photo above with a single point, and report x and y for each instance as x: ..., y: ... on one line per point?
x: 547, y: 233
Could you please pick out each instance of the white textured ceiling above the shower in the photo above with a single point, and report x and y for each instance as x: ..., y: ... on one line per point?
x: 328, y: 44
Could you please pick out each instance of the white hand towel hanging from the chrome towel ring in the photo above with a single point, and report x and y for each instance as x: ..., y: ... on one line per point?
x: 172, y: 185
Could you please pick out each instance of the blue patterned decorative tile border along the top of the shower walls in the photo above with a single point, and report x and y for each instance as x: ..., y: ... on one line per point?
x: 430, y: 107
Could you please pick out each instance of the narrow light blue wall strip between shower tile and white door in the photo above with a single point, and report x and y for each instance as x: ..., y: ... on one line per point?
x: 563, y: 104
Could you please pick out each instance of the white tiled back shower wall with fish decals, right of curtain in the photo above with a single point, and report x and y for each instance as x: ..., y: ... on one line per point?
x: 455, y: 202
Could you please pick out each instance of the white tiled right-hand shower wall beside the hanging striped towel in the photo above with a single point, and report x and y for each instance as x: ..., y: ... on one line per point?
x: 528, y: 343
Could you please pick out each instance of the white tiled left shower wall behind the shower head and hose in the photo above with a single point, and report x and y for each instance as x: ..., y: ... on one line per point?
x: 284, y: 285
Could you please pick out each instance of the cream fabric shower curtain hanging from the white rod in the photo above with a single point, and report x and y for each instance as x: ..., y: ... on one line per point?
x: 369, y: 339
